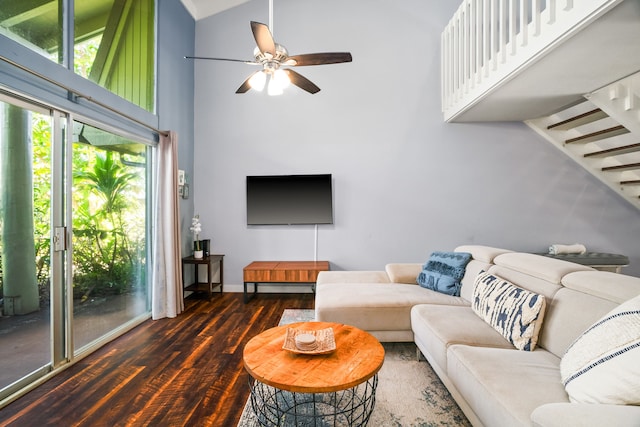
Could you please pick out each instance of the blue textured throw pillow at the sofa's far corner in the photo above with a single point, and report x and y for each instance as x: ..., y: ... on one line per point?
x: 443, y: 272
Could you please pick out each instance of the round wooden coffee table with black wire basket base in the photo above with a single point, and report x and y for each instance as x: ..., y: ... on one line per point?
x: 337, y: 388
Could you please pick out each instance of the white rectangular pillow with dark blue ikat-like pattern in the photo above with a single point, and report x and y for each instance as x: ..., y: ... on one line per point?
x: 513, y: 311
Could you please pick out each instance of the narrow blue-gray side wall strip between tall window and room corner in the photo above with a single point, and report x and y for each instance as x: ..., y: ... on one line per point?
x: 176, y: 34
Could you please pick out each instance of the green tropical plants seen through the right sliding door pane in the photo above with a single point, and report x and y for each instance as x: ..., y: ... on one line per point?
x: 108, y: 250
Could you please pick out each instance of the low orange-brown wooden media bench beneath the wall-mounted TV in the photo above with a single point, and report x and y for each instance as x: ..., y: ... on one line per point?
x: 281, y: 272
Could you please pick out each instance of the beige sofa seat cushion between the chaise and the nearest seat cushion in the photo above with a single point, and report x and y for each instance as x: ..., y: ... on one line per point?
x: 436, y: 327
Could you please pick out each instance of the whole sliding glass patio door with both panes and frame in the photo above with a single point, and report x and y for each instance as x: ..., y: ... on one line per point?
x: 74, y: 209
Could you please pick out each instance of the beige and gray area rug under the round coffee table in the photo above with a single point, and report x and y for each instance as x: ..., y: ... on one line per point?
x: 409, y: 392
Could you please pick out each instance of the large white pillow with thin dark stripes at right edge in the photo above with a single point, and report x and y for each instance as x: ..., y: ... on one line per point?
x: 603, y: 364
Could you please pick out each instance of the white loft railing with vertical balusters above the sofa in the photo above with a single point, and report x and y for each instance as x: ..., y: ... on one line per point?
x: 487, y: 42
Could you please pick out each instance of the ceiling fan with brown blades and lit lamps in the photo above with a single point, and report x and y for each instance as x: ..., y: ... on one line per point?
x: 275, y: 61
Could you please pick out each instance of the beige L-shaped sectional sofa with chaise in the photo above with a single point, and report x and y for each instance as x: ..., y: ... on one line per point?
x: 579, y: 363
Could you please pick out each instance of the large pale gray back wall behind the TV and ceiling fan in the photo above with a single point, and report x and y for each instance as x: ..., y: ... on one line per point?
x: 405, y: 182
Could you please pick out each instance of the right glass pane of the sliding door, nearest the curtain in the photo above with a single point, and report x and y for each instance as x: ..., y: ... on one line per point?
x: 109, y: 232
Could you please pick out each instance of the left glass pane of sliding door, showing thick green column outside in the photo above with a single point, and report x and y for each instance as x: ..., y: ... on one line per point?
x: 25, y: 212
